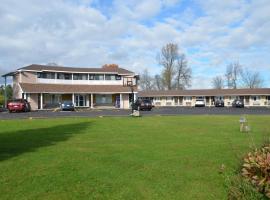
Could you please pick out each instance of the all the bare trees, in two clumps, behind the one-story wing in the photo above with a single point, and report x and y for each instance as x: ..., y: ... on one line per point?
x: 177, y: 75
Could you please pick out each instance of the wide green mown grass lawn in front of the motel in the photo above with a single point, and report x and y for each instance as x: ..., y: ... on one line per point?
x: 176, y: 157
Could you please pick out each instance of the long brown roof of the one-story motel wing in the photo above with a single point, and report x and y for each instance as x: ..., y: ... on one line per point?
x: 206, y: 92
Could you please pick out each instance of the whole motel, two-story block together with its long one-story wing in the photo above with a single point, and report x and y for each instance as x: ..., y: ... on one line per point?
x: 46, y: 86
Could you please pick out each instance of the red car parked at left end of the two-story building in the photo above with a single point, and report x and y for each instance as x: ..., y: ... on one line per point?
x: 19, y: 105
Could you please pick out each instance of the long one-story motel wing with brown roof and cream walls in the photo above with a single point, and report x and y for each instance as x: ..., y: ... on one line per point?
x: 251, y: 97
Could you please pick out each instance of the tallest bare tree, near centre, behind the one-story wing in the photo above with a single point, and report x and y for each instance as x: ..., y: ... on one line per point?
x: 167, y: 58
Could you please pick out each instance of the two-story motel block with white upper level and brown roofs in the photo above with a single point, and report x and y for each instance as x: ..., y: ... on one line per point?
x: 45, y: 87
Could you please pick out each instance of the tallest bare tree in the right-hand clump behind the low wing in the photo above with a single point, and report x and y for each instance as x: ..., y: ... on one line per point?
x: 233, y: 72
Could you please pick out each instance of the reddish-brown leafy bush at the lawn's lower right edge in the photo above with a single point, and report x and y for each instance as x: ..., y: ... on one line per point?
x: 256, y: 169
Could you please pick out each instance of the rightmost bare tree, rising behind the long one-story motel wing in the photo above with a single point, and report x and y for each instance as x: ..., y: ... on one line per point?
x: 251, y: 79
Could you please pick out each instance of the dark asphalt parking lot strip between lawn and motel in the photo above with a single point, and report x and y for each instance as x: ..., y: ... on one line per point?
x: 155, y: 111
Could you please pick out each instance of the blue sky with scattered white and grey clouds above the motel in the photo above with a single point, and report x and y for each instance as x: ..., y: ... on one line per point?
x: 91, y: 33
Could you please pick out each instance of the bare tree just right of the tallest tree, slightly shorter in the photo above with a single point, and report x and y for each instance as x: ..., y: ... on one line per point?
x: 183, y: 73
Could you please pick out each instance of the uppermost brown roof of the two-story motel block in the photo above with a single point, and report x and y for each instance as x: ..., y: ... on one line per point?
x: 104, y: 69
